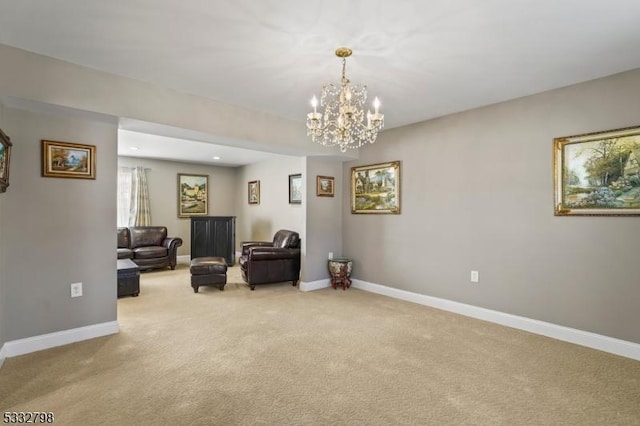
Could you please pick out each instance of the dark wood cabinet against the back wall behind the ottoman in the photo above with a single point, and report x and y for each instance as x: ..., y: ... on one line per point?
x: 214, y: 236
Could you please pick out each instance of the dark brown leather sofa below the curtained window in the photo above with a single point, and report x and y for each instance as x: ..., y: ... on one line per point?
x: 148, y: 246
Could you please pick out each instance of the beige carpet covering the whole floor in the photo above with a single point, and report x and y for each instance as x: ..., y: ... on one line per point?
x: 278, y: 356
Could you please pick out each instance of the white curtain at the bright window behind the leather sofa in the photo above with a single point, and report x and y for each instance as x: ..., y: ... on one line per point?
x: 133, y: 197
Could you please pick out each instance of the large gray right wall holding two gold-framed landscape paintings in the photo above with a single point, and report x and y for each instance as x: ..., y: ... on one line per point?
x: 477, y: 193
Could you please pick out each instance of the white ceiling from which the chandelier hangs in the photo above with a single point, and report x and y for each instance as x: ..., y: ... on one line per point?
x: 423, y: 59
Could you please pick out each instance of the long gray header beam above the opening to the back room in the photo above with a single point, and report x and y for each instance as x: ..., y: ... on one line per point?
x: 32, y: 77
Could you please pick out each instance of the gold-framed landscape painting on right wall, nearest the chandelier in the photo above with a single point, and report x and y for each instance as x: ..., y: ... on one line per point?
x: 376, y: 188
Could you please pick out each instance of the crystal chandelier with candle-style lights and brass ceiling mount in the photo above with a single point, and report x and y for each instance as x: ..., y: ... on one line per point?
x: 343, y: 121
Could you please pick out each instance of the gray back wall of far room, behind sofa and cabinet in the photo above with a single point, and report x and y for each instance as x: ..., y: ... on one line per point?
x: 162, y: 177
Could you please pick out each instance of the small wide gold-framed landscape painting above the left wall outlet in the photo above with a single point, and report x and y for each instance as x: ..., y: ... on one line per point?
x: 68, y: 160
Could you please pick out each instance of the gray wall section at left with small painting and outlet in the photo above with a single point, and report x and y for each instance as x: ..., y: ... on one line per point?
x: 57, y: 231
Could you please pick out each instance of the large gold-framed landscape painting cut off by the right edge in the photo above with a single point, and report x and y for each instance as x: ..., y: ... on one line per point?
x: 598, y: 174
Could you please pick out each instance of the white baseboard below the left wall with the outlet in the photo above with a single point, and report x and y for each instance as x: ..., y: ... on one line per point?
x: 59, y: 338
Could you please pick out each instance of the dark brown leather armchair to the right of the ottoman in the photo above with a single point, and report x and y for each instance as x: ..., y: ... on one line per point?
x: 271, y: 261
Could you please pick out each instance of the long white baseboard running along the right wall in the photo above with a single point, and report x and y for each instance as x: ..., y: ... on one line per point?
x: 571, y: 335
